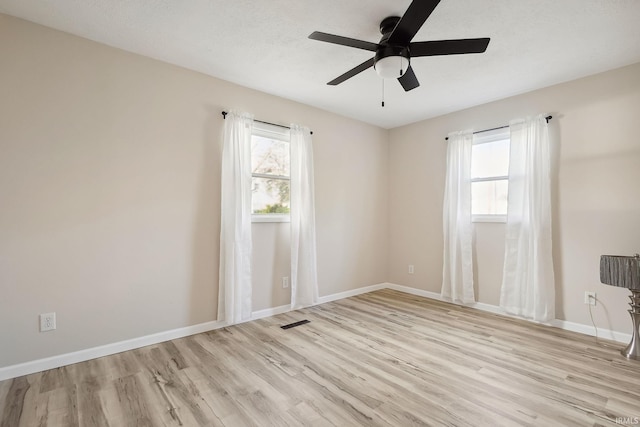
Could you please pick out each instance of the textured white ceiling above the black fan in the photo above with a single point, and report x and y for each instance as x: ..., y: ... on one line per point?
x: 264, y: 45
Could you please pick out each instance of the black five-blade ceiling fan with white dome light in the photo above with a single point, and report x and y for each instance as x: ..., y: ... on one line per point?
x: 394, y: 52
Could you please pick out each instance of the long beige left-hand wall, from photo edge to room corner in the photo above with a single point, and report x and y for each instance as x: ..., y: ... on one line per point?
x: 110, y: 188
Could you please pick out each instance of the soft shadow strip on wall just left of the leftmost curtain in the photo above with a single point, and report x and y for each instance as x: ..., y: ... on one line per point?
x: 206, y: 231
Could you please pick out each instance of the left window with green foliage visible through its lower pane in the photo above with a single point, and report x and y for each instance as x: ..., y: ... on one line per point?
x: 270, y: 173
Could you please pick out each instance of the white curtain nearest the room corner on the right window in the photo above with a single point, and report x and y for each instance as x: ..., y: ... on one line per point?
x: 457, y: 275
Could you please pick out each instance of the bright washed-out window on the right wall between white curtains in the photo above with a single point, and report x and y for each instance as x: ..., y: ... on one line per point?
x: 490, y: 176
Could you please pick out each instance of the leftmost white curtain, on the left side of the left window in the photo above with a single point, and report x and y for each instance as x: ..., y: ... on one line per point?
x: 234, y: 298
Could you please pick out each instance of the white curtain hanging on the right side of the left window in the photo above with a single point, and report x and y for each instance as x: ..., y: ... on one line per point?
x: 304, y: 276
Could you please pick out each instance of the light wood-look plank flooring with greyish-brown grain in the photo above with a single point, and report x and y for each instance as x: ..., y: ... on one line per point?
x: 380, y: 359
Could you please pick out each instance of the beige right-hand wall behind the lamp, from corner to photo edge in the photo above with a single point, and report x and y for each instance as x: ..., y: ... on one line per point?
x: 595, y: 185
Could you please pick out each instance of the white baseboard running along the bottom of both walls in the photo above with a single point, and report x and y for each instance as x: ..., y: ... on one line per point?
x: 39, y: 365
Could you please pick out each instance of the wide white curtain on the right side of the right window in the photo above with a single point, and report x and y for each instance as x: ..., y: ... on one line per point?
x: 528, y: 288
